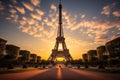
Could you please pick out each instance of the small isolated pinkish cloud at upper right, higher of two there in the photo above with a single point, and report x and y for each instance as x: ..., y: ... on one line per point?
x: 107, y: 9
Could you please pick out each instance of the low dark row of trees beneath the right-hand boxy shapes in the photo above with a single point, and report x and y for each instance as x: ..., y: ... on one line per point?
x: 97, y: 63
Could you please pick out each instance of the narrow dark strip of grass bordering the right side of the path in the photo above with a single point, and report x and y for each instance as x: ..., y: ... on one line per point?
x: 102, y: 70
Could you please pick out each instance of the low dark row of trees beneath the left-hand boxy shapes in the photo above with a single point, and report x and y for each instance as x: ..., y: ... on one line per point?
x: 8, y: 62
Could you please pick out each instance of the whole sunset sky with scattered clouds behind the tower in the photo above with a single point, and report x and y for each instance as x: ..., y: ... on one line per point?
x: 32, y: 24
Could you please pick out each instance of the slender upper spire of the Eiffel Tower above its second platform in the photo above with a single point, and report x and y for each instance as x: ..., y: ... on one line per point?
x: 60, y: 29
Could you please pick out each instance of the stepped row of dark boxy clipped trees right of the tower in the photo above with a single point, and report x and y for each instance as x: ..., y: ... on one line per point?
x: 111, y: 51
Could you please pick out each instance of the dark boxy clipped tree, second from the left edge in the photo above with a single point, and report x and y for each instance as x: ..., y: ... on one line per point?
x: 12, y: 51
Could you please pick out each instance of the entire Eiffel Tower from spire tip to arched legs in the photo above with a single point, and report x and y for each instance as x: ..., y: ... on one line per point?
x: 60, y: 40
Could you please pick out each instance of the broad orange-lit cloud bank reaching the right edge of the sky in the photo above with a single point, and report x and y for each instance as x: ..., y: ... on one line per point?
x: 97, y: 30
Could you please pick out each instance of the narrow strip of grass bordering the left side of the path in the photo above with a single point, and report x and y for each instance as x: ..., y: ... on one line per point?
x: 16, y: 70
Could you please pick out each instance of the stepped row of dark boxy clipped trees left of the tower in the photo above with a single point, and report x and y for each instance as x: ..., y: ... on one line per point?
x: 13, y: 53
